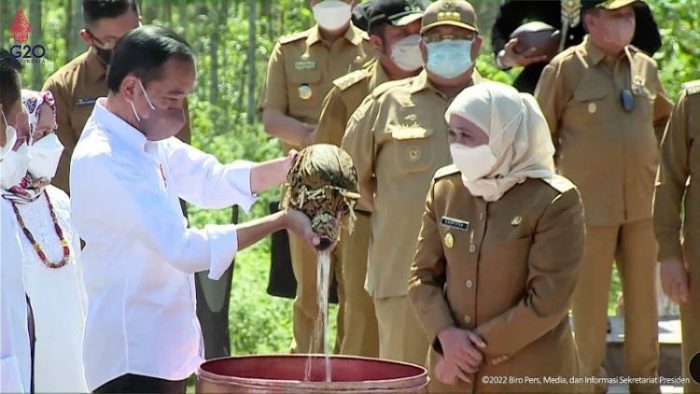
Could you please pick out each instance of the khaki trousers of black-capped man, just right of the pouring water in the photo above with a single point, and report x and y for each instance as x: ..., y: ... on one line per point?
x: 361, y: 336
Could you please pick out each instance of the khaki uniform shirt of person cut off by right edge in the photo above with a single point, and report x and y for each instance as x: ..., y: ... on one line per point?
x: 678, y: 180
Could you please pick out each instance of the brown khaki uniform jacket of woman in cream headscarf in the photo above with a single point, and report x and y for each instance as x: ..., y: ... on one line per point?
x: 505, y: 269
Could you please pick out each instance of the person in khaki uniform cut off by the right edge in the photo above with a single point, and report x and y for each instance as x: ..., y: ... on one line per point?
x: 679, y: 240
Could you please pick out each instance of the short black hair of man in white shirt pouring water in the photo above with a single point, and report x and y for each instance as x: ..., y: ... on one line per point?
x: 143, y: 52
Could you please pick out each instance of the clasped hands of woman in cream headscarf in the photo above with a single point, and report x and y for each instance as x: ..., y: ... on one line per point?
x: 460, y: 348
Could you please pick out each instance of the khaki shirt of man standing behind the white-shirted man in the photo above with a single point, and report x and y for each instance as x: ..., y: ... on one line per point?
x: 75, y: 87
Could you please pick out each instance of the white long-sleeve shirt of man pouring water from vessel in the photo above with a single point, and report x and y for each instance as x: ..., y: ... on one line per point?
x: 140, y: 257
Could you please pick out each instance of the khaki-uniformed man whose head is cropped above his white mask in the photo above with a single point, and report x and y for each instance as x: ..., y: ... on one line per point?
x: 300, y: 73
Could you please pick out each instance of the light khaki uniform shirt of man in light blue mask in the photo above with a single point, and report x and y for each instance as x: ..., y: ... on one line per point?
x: 397, y: 139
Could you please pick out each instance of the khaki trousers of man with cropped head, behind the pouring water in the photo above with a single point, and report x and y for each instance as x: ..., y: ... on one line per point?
x: 306, y: 308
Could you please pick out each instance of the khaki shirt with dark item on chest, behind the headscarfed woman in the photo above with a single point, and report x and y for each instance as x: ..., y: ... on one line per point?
x: 610, y: 154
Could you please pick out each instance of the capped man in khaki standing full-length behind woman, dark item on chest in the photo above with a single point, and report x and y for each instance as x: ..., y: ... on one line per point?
x: 606, y: 109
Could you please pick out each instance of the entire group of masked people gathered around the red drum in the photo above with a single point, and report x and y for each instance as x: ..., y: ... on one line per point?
x: 484, y: 241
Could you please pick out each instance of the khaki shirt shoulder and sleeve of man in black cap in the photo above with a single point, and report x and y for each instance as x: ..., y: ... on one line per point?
x: 345, y: 96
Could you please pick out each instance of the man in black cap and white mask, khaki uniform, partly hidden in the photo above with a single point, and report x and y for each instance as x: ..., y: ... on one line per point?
x: 394, y: 27
